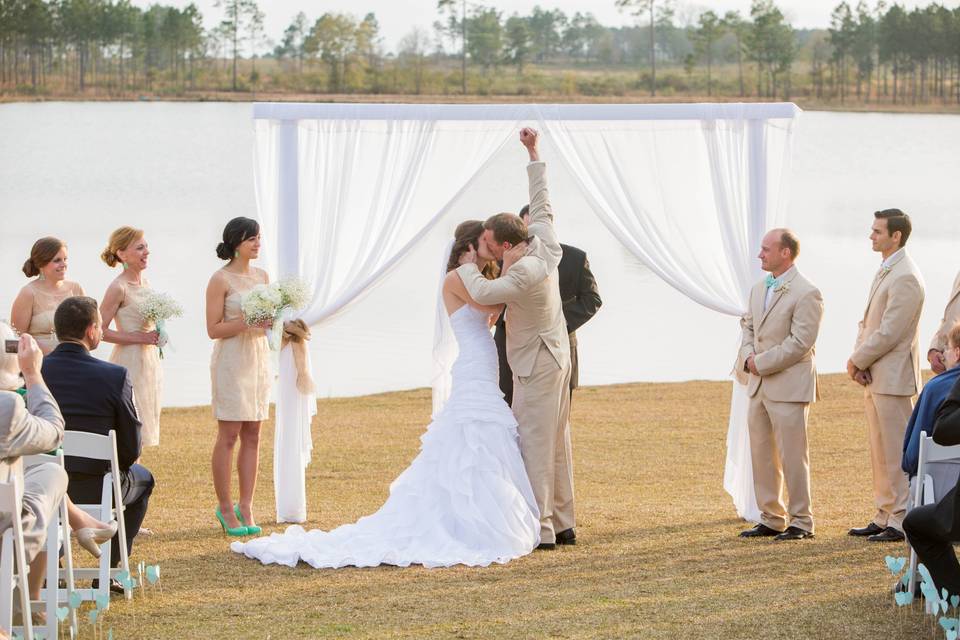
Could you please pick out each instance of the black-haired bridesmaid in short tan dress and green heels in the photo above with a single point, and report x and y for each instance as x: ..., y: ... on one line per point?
x: 239, y: 373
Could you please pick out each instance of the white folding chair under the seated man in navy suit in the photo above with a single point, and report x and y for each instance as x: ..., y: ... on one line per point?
x: 81, y: 444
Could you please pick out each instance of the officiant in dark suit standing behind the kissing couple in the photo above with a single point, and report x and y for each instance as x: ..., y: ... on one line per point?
x: 581, y: 300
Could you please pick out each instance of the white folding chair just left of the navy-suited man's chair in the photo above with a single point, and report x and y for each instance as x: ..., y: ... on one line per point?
x: 58, y: 536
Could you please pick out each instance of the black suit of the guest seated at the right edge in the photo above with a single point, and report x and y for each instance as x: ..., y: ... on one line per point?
x: 932, y: 529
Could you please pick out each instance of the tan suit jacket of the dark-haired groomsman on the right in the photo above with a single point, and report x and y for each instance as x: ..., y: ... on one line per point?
x: 888, y: 343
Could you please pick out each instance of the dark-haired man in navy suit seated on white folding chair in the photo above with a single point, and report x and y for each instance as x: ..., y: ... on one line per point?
x: 97, y: 396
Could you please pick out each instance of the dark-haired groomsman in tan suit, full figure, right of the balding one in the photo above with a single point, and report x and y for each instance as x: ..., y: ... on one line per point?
x: 886, y: 361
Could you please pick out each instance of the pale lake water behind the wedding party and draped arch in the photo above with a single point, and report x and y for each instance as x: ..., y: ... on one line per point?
x: 78, y: 170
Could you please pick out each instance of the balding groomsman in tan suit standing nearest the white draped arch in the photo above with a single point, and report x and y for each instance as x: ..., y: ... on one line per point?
x: 777, y: 349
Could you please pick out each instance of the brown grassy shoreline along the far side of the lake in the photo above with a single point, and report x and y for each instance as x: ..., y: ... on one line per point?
x: 229, y: 96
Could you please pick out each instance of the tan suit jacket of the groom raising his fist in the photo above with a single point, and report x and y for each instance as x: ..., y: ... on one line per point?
x: 530, y: 288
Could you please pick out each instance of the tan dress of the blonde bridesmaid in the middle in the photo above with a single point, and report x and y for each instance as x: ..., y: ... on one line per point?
x: 142, y: 361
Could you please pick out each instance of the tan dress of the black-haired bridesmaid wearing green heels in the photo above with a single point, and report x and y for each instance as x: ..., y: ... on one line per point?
x: 240, y: 366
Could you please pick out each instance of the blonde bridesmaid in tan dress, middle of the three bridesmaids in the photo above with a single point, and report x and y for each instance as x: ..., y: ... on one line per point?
x: 135, y: 338
